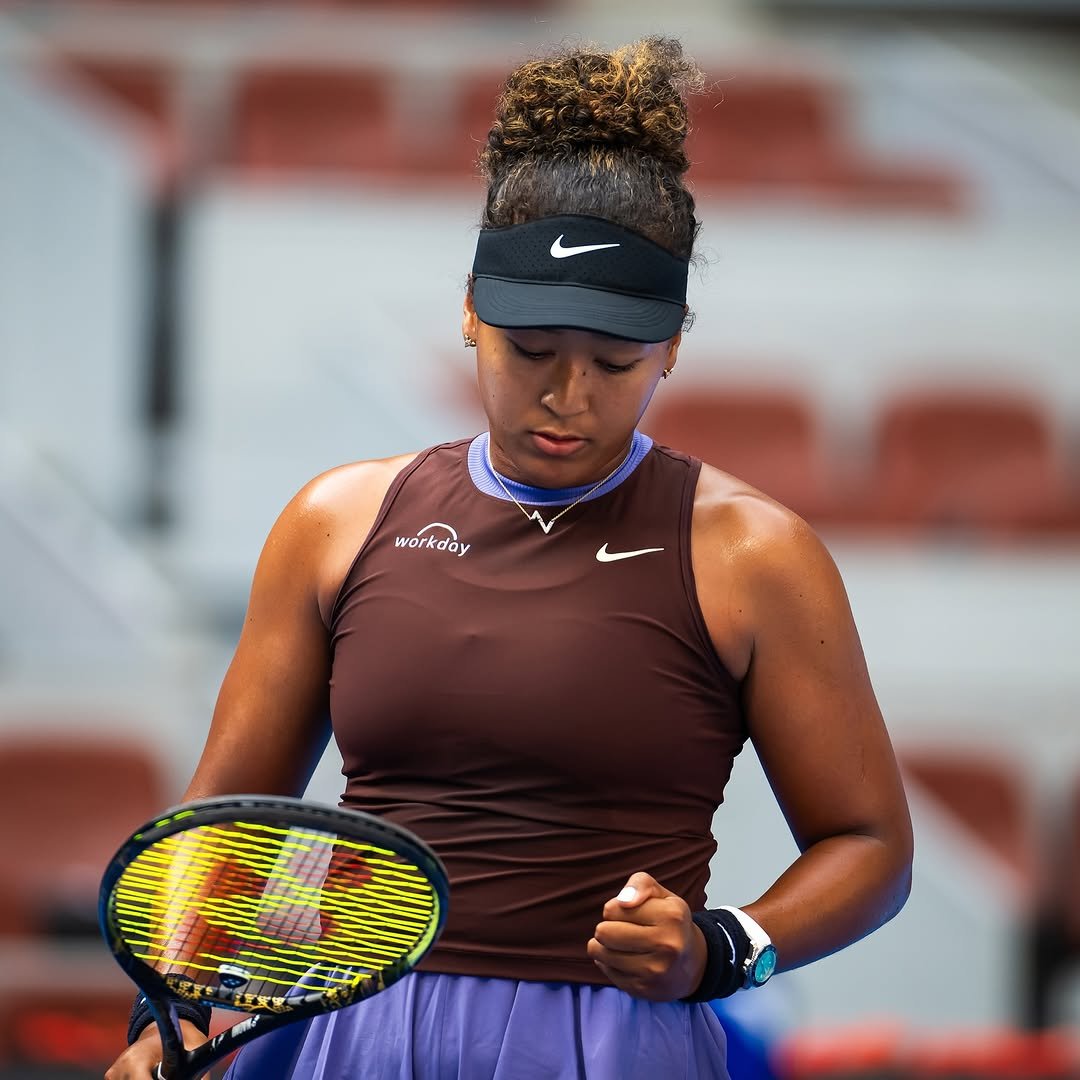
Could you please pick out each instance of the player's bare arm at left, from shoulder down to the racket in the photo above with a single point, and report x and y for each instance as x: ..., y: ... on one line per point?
x: 272, y: 721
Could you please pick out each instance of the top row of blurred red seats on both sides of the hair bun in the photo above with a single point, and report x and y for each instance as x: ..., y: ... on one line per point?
x: 759, y: 133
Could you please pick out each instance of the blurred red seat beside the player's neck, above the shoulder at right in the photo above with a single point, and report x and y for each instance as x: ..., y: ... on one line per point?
x: 767, y: 437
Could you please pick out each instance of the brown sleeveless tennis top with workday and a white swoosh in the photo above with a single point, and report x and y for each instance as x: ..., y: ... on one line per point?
x: 547, y: 711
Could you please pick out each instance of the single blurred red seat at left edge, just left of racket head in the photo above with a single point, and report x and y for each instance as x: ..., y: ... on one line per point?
x: 67, y: 801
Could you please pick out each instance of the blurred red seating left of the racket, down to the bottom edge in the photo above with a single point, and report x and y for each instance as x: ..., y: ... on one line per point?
x: 69, y: 799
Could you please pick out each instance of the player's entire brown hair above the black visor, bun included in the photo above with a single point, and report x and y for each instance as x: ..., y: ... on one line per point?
x: 590, y: 132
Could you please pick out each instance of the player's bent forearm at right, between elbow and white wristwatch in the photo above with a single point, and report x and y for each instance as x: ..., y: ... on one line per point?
x: 839, y: 890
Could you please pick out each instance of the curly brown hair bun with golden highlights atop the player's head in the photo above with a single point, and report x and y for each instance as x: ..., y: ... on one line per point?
x: 595, y: 102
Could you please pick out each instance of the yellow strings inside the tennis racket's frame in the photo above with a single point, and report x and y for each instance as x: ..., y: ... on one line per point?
x: 273, y: 908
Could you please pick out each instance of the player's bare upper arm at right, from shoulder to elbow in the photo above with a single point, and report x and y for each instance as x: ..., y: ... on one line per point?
x: 812, y: 712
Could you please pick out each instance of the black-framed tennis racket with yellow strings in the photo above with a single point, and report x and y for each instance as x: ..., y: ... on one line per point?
x: 274, y: 907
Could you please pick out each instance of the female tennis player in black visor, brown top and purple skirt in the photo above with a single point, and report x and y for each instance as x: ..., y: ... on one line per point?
x: 542, y: 650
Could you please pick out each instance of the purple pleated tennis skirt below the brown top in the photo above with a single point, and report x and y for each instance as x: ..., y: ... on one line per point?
x: 457, y: 1028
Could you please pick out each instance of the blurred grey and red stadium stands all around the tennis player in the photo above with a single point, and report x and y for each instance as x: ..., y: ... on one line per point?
x: 234, y: 244
